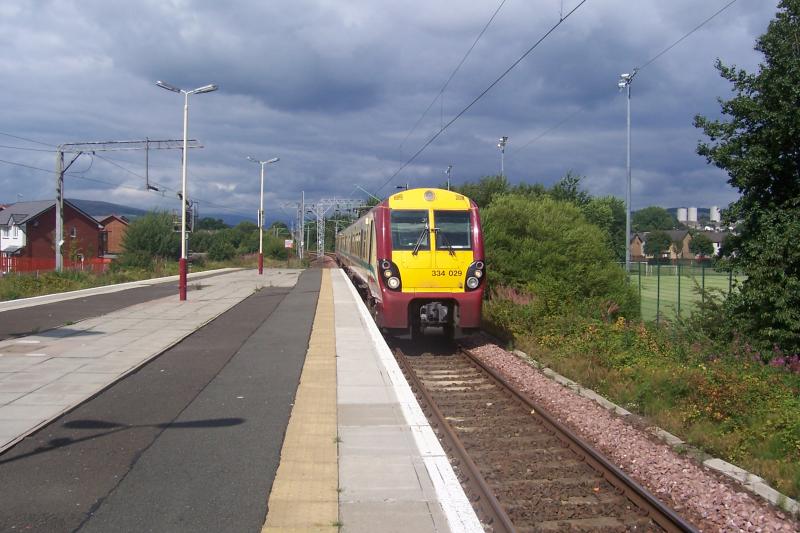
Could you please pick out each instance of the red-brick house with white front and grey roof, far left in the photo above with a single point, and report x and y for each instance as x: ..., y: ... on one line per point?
x: 27, y: 230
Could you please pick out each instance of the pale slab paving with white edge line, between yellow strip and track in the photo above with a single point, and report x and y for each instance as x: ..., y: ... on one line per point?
x: 393, y: 473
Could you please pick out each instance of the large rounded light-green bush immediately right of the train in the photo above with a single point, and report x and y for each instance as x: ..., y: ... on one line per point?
x: 548, y: 247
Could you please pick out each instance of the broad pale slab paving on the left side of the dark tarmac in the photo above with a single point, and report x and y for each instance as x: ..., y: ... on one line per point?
x: 79, y: 360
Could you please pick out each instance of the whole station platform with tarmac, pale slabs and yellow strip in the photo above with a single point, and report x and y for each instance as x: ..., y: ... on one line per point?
x: 347, y: 450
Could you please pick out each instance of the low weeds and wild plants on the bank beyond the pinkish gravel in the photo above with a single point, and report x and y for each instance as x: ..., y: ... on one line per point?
x: 724, y: 397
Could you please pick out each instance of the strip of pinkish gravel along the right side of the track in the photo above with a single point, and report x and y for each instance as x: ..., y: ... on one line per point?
x: 701, y: 495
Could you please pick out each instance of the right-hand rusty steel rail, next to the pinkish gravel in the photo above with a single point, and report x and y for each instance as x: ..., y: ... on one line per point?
x: 662, y: 515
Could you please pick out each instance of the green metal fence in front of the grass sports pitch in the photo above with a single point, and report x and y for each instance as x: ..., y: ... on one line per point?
x: 674, y: 290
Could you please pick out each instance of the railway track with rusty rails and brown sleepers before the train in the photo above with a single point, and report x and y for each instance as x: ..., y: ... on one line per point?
x: 523, y: 470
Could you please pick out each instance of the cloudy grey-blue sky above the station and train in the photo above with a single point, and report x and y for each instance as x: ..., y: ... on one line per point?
x: 335, y: 87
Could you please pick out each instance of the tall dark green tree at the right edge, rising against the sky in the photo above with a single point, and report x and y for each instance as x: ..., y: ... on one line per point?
x: 757, y: 142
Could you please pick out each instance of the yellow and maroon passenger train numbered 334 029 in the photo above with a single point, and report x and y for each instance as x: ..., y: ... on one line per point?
x: 418, y: 260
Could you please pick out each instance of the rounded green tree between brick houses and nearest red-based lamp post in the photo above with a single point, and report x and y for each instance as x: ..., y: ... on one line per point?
x: 148, y: 237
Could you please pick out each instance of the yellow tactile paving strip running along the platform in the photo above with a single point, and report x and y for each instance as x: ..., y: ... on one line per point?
x: 304, y: 495
